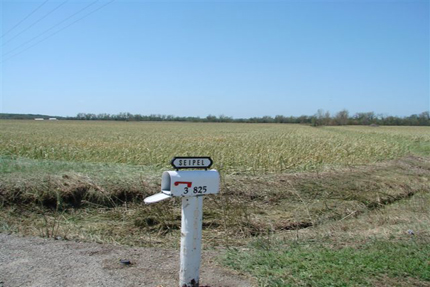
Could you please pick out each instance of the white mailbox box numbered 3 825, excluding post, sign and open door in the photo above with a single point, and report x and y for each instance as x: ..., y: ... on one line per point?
x: 190, y: 183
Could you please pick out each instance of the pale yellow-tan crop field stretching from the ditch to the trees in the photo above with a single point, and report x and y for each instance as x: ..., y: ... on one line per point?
x: 235, y: 148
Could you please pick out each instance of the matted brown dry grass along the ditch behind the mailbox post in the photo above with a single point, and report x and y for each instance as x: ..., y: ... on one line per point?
x: 247, y: 206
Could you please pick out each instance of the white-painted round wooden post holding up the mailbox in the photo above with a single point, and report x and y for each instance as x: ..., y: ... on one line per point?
x: 191, y: 237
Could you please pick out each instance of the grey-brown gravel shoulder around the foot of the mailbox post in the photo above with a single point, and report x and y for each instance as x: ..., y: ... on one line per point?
x: 31, y: 261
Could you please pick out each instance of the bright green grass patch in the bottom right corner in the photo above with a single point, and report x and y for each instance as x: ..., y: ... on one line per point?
x: 313, y: 264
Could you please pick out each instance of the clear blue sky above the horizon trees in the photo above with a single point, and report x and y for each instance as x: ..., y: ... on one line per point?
x: 194, y: 58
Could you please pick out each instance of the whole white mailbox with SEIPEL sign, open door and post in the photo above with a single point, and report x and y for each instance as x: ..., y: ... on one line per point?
x: 191, y: 185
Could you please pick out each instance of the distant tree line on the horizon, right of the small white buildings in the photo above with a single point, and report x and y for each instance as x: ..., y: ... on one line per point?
x: 321, y: 118
